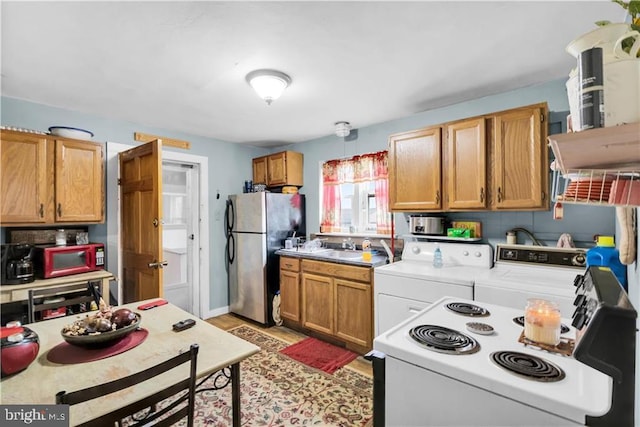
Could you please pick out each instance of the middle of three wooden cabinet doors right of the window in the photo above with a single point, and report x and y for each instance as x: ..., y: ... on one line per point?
x: 466, y: 164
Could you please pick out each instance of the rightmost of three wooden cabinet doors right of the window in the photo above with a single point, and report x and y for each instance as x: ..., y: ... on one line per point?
x: 520, y: 159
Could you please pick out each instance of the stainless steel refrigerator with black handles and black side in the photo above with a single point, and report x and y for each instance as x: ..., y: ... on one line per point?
x: 256, y: 226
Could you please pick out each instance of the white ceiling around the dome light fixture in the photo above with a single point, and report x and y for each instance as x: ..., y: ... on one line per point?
x: 182, y: 65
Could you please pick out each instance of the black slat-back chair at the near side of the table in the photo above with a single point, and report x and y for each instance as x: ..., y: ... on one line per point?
x: 164, y: 417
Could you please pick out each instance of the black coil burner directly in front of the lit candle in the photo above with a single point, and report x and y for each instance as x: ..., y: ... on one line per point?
x: 527, y: 366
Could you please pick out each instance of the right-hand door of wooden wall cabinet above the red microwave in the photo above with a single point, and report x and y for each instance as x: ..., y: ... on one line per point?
x: 79, y: 181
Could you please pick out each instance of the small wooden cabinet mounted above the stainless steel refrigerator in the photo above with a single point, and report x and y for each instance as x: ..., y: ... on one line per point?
x: 279, y: 169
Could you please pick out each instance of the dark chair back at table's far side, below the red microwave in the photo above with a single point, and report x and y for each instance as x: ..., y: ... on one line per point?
x: 78, y: 293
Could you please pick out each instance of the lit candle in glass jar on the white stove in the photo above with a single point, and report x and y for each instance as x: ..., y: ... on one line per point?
x: 542, y: 322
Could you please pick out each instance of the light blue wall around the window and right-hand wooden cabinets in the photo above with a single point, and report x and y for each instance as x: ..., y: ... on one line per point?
x: 582, y: 222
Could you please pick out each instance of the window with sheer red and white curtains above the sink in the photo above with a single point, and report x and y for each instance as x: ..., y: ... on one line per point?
x: 355, y: 195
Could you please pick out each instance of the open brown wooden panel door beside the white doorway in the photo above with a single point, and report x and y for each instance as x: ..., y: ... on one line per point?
x: 141, y: 221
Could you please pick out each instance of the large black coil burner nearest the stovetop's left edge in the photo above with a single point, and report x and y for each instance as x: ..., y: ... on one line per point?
x: 444, y: 340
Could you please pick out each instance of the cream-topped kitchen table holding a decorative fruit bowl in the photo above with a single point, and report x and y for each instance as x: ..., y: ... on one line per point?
x: 40, y: 382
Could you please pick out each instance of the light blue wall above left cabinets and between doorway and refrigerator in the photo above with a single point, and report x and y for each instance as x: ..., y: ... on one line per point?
x: 229, y: 167
